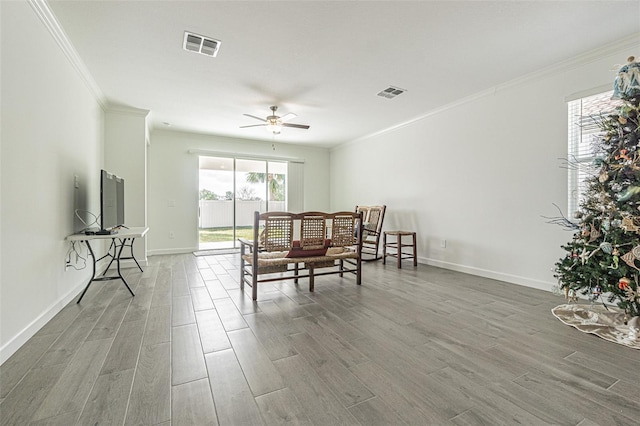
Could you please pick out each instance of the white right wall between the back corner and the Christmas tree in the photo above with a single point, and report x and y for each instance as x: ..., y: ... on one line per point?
x: 479, y: 174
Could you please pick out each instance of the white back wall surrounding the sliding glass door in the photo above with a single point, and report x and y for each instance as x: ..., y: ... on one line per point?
x: 173, y: 182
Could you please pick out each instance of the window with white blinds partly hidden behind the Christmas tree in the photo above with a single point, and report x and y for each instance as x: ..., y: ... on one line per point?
x: 585, y: 132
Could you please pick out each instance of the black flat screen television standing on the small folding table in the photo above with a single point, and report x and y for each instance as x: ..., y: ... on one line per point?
x: 111, y: 202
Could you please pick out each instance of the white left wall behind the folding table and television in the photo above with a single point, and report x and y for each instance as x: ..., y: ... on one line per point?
x: 52, y: 129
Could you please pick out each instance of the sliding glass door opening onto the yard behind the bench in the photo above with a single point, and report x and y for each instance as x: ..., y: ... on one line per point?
x: 230, y: 191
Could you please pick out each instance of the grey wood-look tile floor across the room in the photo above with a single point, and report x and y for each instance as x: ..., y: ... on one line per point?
x: 416, y: 346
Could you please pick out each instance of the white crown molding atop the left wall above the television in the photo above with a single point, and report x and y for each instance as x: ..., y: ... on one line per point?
x: 46, y: 15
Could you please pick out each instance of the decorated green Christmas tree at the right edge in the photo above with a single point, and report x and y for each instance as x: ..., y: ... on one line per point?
x: 603, y: 258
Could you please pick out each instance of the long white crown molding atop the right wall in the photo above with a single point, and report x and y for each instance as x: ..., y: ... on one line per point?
x: 630, y: 42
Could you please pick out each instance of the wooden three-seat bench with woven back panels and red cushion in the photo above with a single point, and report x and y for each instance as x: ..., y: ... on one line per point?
x: 293, y: 245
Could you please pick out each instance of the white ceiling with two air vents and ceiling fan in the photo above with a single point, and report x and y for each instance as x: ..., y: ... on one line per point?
x: 325, y: 60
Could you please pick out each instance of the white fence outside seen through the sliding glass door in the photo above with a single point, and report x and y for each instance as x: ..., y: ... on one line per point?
x: 219, y: 213
